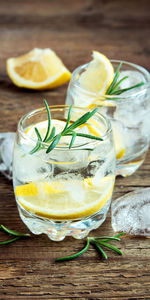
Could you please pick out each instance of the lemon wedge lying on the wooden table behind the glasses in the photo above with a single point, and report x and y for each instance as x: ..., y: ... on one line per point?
x: 38, y: 69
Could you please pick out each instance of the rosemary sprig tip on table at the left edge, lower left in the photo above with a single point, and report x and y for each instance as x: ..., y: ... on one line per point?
x: 17, y: 235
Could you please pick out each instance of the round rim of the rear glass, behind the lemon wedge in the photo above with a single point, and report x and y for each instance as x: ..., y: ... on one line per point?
x: 119, y: 97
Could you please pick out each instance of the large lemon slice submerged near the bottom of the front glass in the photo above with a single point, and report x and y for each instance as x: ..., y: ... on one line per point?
x: 56, y: 200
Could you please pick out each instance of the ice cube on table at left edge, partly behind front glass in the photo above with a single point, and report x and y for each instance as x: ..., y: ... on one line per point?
x: 6, y: 150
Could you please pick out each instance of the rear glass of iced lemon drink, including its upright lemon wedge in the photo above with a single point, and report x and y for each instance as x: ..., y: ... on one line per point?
x: 129, y: 112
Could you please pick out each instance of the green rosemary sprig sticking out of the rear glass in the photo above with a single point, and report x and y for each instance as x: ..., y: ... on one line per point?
x: 114, y: 87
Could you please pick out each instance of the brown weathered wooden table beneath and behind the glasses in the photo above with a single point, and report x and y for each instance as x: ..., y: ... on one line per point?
x: 120, y: 29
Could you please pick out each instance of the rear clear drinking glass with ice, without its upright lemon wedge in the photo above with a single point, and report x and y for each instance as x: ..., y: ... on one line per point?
x: 129, y: 113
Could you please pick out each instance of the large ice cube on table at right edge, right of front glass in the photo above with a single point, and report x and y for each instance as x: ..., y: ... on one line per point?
x: 131, y: 213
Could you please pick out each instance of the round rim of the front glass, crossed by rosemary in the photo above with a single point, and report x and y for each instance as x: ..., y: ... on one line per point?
x: 22, y: 132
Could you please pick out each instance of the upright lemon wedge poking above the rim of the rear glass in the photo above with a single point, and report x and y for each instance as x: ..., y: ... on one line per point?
x: 99, y: 74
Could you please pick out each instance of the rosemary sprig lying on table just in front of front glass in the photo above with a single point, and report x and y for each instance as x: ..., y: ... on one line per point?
x: 98, y: 242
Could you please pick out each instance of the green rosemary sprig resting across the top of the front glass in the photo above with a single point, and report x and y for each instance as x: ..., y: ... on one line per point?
x: 69, y: 130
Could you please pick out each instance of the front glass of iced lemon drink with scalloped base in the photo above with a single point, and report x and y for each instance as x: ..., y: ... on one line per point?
x: 66, y: 191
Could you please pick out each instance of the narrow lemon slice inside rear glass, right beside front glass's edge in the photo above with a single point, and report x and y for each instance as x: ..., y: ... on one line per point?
x: 118, y: 142
